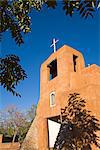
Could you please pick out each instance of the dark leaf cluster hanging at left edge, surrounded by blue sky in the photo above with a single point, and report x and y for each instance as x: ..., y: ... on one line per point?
x: 11, y: 73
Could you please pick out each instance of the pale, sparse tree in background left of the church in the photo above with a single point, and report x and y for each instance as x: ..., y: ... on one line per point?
x: 14, y: 124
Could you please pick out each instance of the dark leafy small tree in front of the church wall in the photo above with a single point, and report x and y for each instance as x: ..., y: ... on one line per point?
x: 78, y: 127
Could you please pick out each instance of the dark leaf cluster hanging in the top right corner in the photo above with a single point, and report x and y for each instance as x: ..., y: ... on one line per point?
x: 85, y: 8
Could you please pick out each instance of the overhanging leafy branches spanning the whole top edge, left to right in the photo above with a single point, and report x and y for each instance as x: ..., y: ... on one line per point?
x: 16, y: 13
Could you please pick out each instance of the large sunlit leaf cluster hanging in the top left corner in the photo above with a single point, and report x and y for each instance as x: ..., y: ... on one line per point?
x: 15, y: 17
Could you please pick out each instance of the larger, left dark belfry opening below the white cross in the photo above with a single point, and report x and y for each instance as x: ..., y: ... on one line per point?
x: 53, y: 69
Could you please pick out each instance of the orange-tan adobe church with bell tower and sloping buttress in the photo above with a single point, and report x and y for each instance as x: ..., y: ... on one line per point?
x: 64, y: 72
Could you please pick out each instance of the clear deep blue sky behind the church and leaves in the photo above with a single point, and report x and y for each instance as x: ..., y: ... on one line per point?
x: 81, y: 34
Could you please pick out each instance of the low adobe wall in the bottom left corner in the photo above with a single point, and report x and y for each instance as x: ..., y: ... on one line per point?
x: 9, y: 146
